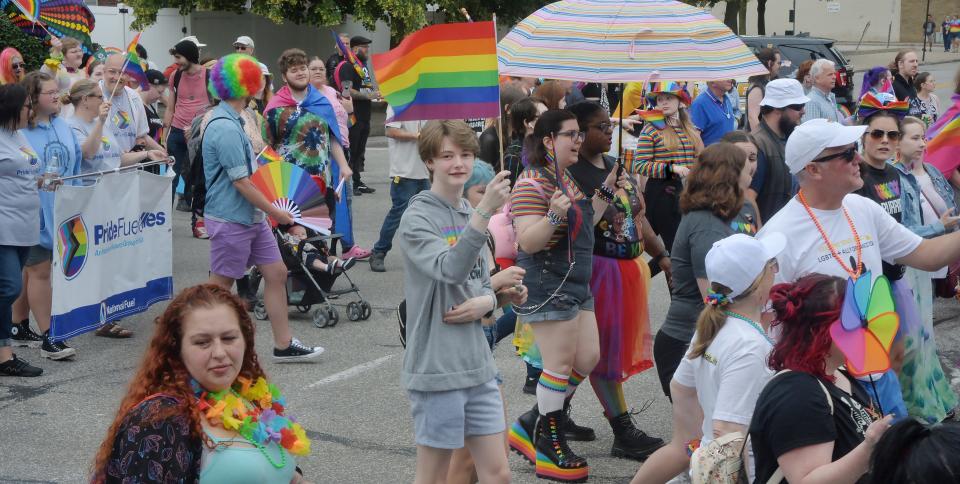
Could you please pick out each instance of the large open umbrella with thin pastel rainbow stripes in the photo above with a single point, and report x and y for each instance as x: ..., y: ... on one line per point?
x: 623, y: 41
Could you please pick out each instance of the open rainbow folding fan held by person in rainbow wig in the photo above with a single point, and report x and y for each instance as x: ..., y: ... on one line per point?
x: 288, y: 187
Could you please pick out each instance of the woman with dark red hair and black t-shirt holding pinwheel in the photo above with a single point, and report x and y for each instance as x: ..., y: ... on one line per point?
x: 811, y: 423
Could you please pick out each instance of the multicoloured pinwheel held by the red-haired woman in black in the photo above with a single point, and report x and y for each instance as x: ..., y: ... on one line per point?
x: 867, y: 325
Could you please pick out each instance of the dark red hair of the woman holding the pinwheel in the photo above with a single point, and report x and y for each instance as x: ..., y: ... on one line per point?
x: 804, y: 311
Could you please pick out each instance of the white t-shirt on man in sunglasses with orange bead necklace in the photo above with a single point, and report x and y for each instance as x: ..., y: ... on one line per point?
x: 881, y: 238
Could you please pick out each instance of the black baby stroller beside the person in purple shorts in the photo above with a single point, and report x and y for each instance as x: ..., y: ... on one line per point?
x: 307, y: 287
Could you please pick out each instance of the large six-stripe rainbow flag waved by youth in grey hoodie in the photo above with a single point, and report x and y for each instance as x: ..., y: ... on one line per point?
x: 446, y: 71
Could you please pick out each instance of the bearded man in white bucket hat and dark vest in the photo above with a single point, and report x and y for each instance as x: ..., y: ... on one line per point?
x: 780, y: 111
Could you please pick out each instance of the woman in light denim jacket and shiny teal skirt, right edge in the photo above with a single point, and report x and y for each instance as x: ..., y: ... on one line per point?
x: 929, y: 210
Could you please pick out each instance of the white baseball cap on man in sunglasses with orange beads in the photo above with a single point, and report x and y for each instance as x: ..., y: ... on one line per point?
x: 809, y: 140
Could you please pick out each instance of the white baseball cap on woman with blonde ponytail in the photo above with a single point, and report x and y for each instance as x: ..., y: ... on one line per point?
x: 739, y: 259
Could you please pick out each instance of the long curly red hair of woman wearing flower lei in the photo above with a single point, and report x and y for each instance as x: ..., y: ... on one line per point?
x: 162, y: 369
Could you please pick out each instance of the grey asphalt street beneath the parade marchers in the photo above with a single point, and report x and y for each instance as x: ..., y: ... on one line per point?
x: 350, y: 402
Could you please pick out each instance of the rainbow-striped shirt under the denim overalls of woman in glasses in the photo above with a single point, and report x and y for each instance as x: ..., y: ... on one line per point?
x: 527, y: 200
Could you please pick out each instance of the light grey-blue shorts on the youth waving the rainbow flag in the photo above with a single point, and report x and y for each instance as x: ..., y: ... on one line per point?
x: 443, y: 419
